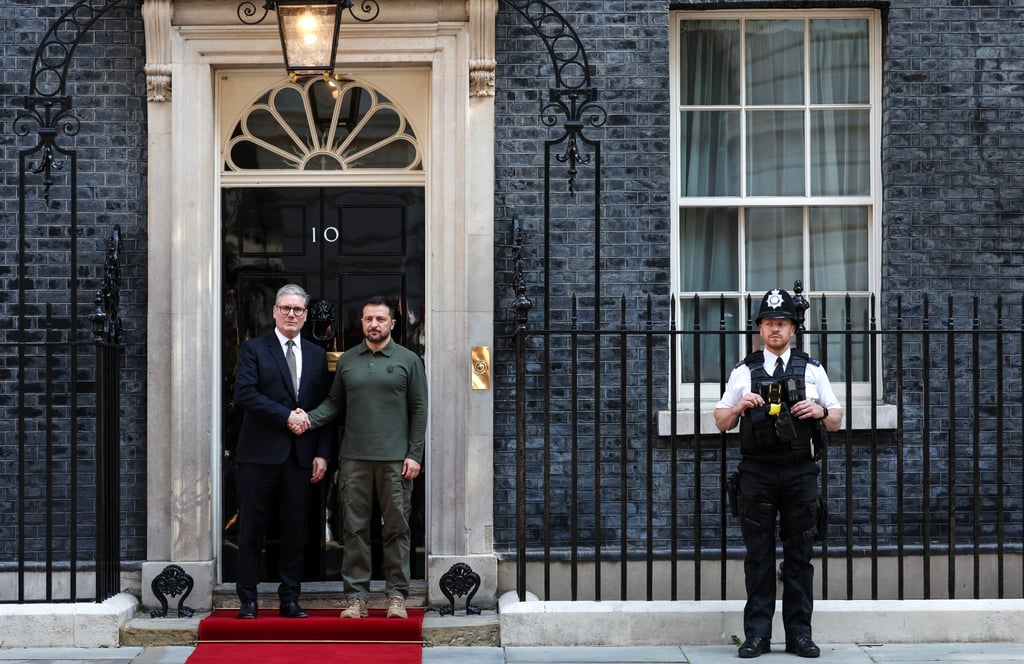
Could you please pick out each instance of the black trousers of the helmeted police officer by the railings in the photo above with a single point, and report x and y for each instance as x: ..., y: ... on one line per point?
x: 789, y: 493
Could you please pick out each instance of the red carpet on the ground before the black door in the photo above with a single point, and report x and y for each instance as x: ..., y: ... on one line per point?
x: 272, y: 640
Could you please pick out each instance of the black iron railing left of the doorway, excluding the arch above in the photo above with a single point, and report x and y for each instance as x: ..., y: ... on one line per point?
x: 61, y: 488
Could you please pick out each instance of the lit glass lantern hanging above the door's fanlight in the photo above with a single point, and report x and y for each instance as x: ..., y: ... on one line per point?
x: 309, y: 36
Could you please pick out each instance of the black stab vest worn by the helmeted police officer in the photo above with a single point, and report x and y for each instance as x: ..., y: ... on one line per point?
x: 759, y: 429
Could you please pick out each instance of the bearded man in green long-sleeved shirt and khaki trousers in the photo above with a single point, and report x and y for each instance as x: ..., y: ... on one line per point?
x: 380, y: 394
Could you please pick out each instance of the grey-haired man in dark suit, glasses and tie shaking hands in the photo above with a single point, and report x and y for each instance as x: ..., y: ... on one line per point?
x: 278, y: 372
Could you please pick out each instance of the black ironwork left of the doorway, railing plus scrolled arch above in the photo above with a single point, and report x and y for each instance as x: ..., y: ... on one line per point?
x: 61, y: 480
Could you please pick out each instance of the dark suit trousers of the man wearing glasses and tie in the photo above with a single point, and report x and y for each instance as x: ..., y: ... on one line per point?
x: 285, y: 489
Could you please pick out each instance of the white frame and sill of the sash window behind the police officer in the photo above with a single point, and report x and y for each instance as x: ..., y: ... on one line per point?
x: 710, y: 392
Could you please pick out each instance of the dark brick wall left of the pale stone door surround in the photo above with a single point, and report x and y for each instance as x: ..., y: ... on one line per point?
x: 107, y: 85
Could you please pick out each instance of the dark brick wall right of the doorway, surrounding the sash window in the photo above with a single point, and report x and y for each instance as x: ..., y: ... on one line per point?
x: 953, y: 158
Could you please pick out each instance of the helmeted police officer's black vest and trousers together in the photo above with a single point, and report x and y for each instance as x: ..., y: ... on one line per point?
x: 779, y: 476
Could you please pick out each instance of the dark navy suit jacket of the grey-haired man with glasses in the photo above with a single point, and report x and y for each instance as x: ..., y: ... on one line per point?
x: 264, y: 391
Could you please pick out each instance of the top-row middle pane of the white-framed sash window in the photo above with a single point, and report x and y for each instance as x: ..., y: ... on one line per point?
x: 776, y: 63
